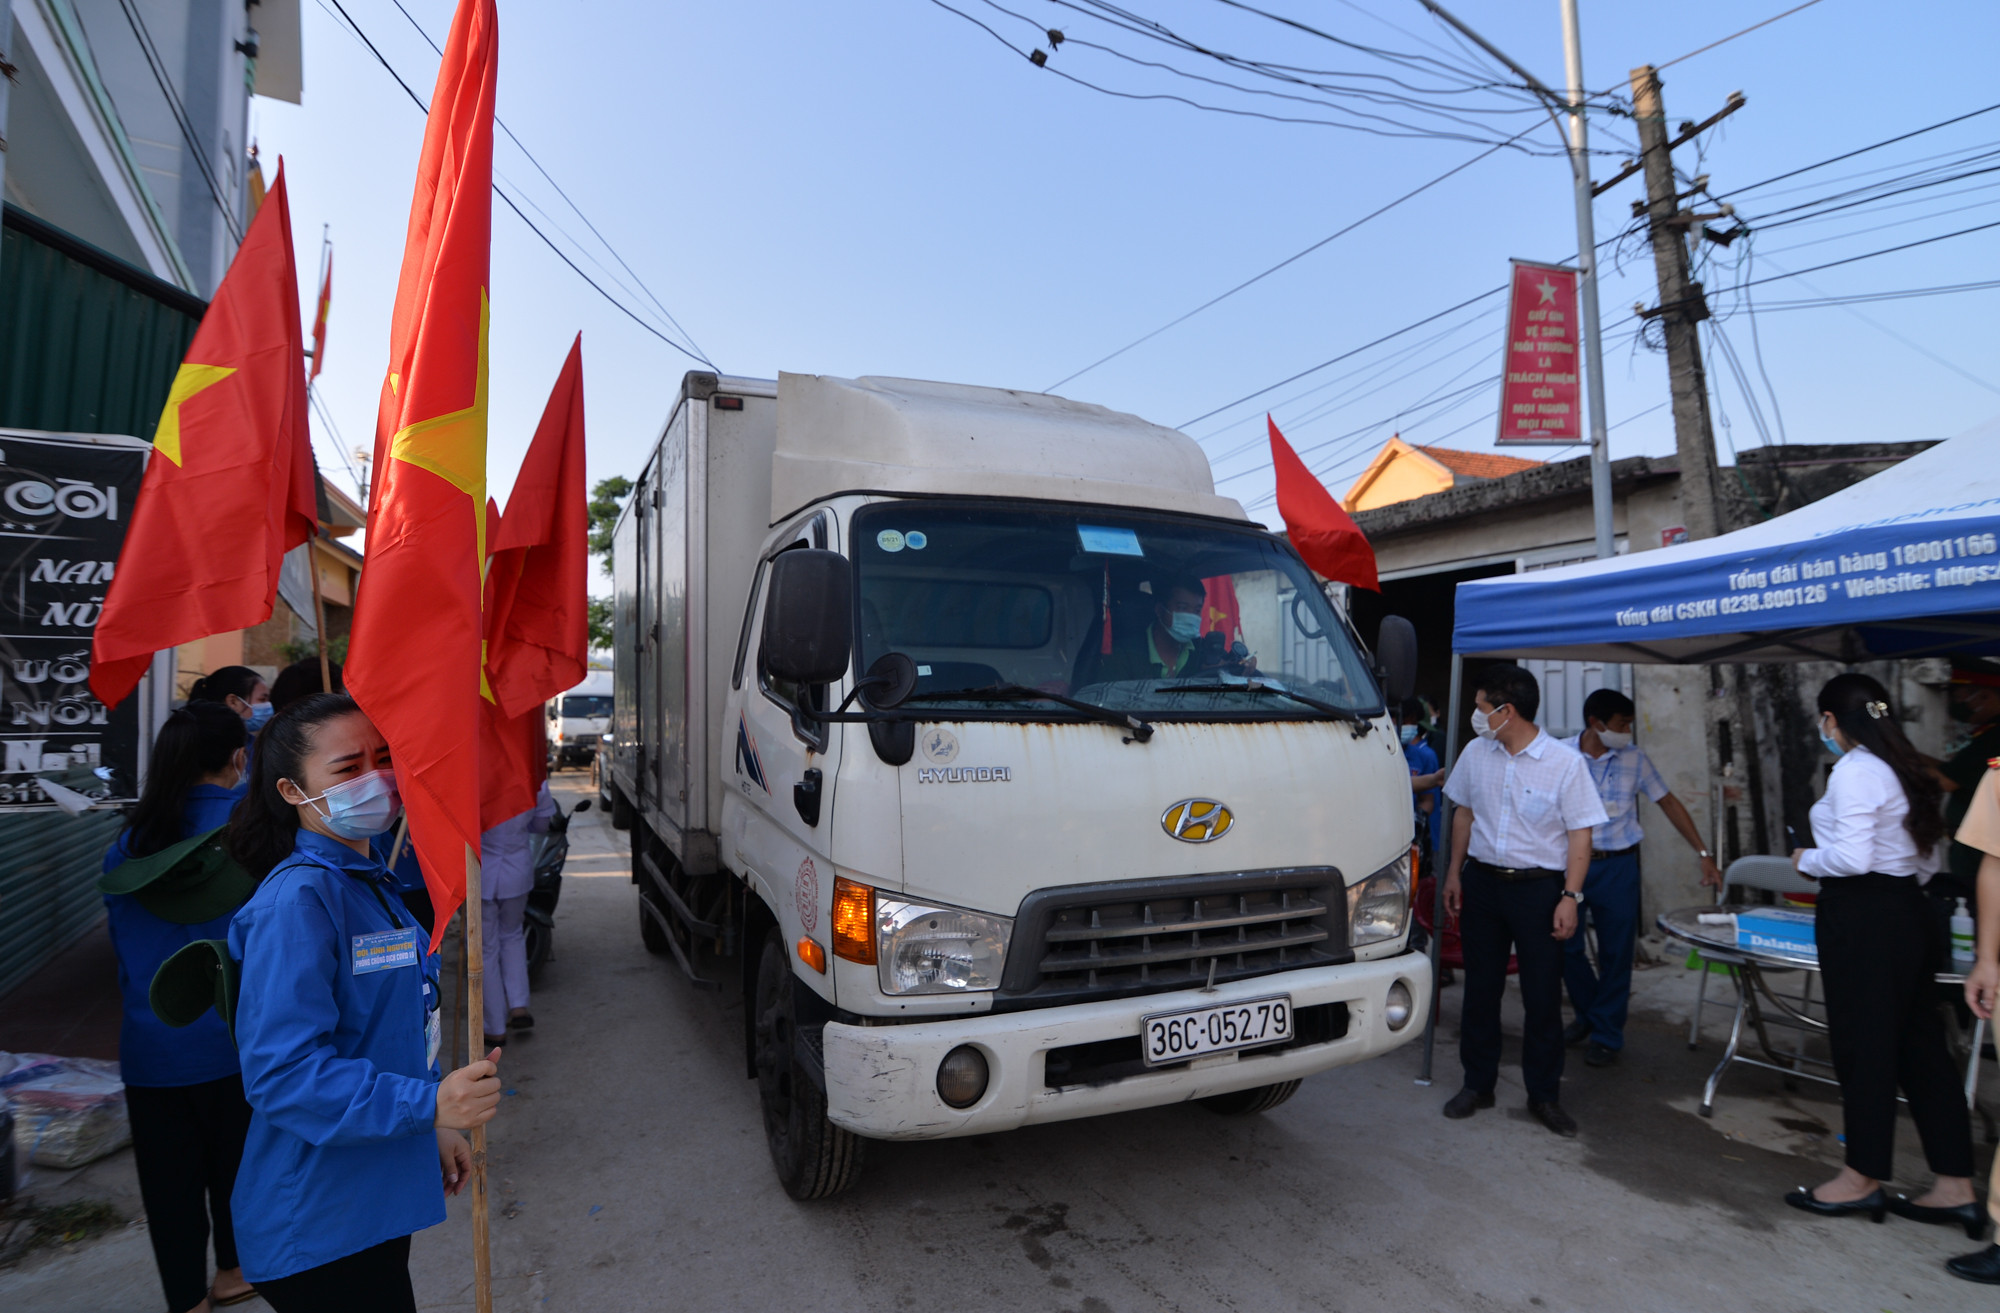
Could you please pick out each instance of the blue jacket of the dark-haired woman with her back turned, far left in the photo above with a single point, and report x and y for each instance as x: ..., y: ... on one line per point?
x: 151, y: 1052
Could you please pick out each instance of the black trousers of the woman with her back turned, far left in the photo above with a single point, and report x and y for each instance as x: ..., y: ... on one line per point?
x: 187, y: 1142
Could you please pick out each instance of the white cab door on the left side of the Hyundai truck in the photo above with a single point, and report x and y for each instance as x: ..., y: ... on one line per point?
x: 783, y: 830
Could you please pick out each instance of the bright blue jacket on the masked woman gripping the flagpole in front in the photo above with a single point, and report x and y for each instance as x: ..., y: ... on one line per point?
x: 331, y: 1022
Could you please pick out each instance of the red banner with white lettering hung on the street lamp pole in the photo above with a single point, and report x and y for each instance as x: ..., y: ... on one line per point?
x: 1541, y: 401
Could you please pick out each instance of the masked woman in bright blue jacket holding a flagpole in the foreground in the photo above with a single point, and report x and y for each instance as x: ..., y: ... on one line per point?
x: 353, y: 1136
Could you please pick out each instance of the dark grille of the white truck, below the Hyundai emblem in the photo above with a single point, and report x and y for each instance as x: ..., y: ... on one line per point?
x: 1133, y: 938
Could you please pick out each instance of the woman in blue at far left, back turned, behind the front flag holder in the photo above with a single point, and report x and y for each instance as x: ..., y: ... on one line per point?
x: 183, y: 1090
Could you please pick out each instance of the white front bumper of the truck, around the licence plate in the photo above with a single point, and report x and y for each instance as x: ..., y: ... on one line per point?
x: 883, y: 1082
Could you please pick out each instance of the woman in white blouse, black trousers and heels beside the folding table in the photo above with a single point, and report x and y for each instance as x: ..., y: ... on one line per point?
x: 1881, y: 828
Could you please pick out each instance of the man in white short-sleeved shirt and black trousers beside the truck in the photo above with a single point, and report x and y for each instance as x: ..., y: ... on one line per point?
x: 1521, y: 850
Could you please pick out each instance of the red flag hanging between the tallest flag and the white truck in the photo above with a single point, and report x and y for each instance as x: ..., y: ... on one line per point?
x: 537, y: 597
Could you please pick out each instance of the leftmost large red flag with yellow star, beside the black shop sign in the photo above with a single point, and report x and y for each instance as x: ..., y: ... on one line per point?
x: 231, y: 483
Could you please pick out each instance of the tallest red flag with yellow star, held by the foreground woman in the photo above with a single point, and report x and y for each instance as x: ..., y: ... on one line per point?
x: 415, y: 658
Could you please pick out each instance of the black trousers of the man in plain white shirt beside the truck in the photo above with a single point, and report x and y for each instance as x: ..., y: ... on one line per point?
x: 1517, y: 918
